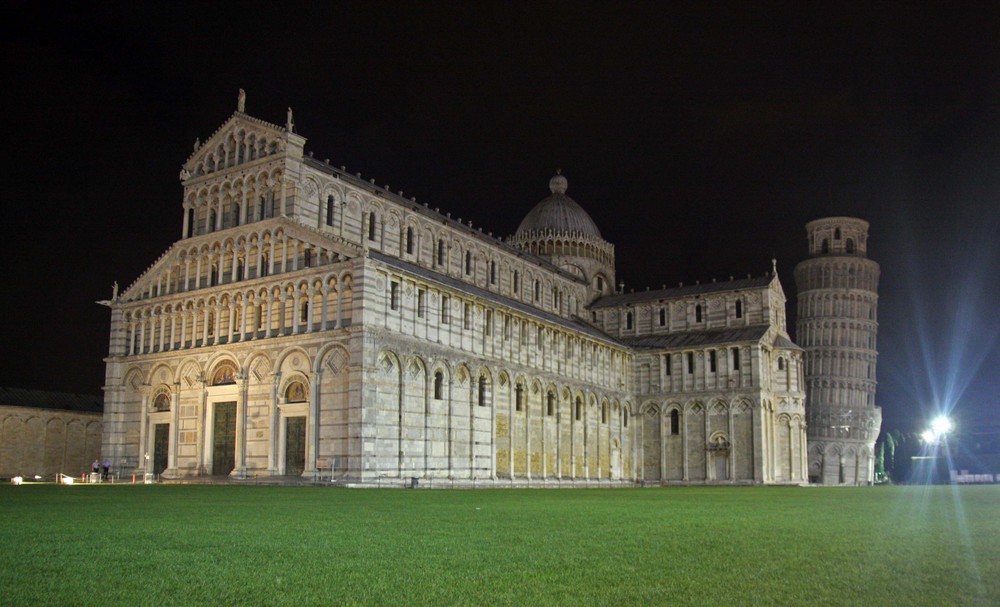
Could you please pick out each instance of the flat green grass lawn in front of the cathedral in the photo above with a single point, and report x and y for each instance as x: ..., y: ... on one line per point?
x: 226, y: 545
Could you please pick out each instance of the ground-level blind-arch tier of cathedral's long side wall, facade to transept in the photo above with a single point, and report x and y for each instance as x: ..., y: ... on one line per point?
x: 442, y: 414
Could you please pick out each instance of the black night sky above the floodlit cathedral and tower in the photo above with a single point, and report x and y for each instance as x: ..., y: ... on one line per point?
x: 701, y: 138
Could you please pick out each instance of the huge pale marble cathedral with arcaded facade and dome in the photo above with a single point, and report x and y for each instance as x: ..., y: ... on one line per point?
x: 309, y: 323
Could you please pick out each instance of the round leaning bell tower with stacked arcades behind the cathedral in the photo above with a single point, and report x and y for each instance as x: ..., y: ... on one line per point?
x: 837, y: 325
